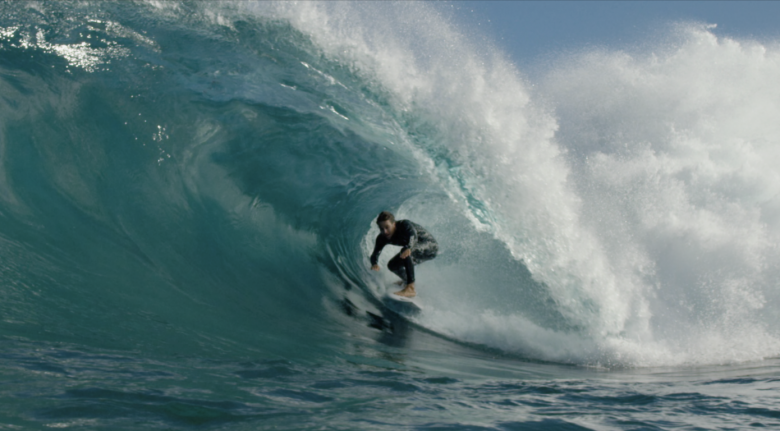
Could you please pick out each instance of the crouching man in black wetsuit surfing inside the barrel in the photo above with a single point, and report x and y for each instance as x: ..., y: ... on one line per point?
x: 417, y: 246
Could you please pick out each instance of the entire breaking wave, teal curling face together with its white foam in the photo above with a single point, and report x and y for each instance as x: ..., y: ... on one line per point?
x: 206, y: 176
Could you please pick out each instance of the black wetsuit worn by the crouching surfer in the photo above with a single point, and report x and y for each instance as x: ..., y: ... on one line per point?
x: 409, y: 236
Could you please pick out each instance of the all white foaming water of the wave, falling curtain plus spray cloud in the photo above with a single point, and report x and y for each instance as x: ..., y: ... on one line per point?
x: 639, y: 188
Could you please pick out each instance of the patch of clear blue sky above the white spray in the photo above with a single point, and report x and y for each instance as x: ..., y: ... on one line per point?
x: 528, y: 30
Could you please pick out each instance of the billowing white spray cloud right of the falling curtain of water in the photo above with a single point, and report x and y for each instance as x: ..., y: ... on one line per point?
x: 674, y: 152
